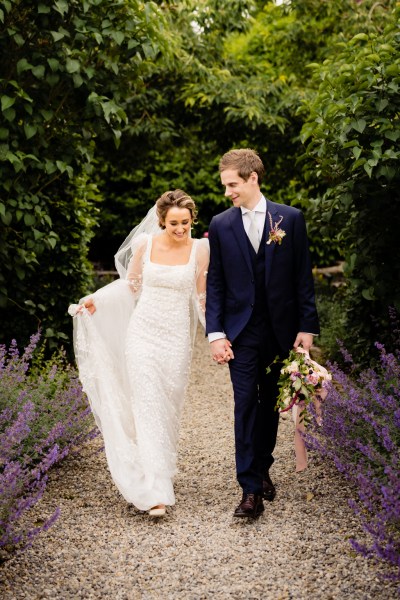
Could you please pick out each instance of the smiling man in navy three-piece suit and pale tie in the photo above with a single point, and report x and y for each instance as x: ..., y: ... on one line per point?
x: 260, y: 303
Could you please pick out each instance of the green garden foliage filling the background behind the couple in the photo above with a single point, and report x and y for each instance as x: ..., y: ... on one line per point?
x: 105, y: 104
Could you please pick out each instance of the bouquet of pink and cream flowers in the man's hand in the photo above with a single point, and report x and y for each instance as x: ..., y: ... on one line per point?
x: 301, y: 381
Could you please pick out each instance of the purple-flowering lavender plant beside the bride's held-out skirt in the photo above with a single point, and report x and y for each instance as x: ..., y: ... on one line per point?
x: 44, y: 416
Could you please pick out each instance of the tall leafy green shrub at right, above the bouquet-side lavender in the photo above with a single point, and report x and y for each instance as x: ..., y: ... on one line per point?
x: 352, y: 145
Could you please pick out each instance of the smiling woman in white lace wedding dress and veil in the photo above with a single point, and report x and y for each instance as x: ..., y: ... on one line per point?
x: 133, y: 343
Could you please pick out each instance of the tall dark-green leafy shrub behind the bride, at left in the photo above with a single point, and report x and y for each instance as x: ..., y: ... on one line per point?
x: 67, y: 68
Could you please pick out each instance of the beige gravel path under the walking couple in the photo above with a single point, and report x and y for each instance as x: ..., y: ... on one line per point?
x: 102, y: 548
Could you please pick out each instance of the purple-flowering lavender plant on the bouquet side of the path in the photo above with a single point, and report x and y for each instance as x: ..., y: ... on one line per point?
x: 360, y: 433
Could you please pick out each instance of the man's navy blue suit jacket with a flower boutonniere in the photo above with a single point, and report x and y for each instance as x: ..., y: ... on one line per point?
x: 289, y: 287
